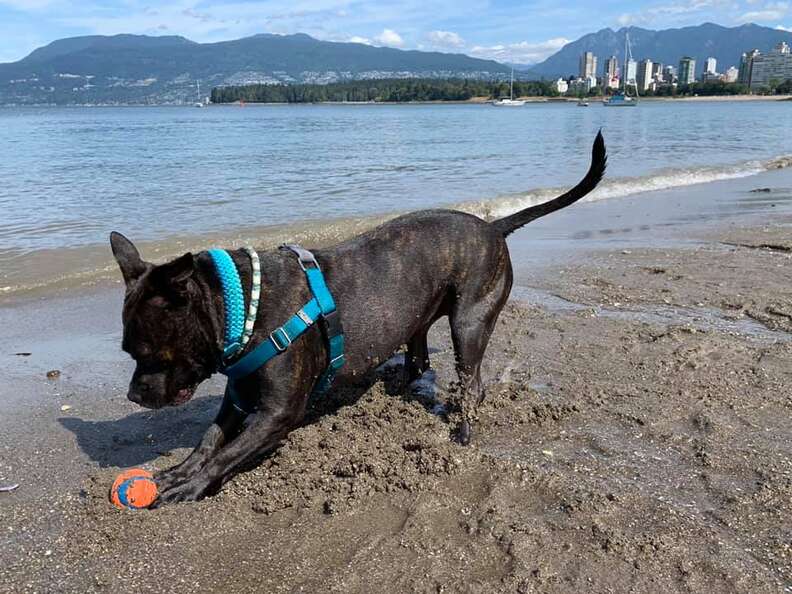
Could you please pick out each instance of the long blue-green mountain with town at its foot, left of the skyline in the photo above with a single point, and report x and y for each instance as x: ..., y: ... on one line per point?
x: 170, y: 69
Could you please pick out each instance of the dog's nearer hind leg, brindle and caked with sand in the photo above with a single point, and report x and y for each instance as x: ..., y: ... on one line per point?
x: 471, y: 327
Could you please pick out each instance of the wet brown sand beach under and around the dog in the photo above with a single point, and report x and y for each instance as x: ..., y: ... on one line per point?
x: 635, y: 435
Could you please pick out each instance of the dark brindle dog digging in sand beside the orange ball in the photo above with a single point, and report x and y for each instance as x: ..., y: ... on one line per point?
x: 390, y: 284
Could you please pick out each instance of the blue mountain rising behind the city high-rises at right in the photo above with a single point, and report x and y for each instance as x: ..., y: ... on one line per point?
x: 726, y: 44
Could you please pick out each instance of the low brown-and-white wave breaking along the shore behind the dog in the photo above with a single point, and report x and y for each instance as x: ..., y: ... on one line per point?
x: 50, y: 271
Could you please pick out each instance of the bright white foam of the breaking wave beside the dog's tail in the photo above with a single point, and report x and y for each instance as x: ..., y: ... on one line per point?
x: 627, y: 186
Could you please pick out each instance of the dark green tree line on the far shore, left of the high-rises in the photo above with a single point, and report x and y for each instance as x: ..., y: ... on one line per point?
x: 378, y: 91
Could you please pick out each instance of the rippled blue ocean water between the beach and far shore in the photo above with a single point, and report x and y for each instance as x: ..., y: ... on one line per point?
x: 182, y: 176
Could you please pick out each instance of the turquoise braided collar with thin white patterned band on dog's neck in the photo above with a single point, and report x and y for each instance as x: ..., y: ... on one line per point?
x: 238, y: 326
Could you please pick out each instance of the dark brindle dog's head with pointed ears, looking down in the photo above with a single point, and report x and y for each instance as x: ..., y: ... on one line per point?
x: 167, y: 328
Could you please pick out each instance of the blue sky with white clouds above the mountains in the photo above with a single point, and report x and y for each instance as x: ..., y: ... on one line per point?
x: 508, y: 30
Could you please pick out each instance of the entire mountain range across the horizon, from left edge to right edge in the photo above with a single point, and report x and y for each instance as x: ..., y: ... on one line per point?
x: 140, y: 69
